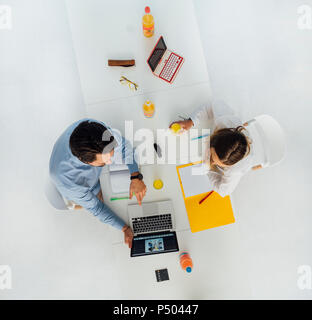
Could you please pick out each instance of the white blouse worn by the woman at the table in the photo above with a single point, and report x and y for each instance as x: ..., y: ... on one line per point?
x: 218, y: 115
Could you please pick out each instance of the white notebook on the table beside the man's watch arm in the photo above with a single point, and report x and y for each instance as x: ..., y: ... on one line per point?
x: 119, y: 178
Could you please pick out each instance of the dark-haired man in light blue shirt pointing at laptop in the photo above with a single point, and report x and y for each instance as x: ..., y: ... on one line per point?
x: 76, y: 163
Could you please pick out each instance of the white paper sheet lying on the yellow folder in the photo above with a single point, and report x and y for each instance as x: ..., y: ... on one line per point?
x: 195, y: 180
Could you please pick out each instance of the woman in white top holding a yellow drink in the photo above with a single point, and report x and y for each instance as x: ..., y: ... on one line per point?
x: 230, y: 154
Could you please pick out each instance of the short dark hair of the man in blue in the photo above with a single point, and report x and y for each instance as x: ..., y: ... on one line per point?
x: 87, y: 140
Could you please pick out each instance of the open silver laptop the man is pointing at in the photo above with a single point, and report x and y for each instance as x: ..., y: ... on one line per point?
x: 153, y: 225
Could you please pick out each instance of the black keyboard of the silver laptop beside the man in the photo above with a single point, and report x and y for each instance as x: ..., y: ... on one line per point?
x: 152, y: 223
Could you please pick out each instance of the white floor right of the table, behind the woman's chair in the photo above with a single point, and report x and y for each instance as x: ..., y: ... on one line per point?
x: 259, y: 62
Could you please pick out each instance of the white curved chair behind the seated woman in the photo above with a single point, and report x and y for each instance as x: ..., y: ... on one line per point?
x: 268, y: 140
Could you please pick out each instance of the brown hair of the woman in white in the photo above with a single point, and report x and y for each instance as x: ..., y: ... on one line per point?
x: 230, y: 145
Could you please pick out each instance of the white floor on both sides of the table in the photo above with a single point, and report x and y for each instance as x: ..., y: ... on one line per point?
x: 258, y: 61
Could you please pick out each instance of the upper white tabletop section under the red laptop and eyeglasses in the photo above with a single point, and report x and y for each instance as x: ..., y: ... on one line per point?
x: 103, y: 30
